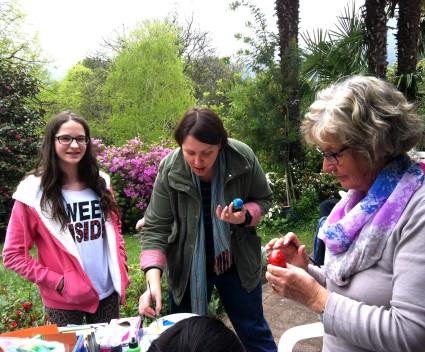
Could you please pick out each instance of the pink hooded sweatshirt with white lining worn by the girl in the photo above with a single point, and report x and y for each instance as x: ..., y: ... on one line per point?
x: 58, y: 256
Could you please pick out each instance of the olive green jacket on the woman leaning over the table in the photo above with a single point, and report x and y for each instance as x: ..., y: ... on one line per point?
x: 172, y: 216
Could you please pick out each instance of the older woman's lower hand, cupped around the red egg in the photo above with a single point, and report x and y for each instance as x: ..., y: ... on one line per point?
x: 295, y: 283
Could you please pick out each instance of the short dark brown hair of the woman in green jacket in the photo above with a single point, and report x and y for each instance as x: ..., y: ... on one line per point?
x: 204, y: 125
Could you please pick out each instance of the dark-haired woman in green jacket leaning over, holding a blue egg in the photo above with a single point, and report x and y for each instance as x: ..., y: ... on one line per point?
x: 192, y: 231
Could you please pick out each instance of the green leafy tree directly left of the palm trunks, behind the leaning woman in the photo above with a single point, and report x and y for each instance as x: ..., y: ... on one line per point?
x: 255, y: 114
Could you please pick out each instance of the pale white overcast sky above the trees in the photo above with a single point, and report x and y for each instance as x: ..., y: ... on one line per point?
x: 68, y: 31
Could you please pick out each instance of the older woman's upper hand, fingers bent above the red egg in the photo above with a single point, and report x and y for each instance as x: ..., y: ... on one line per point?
x: 294, y: 252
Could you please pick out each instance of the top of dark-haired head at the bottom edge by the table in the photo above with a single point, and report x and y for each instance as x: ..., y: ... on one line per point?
x: 196, y: 334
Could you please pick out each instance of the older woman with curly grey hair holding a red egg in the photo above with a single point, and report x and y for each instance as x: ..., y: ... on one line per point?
x: 370, y: 291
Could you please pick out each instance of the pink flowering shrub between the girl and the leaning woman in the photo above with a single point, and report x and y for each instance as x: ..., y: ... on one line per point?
x: 133, y: 169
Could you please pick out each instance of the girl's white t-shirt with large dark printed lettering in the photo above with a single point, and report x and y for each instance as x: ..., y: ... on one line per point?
x: 87, y: 227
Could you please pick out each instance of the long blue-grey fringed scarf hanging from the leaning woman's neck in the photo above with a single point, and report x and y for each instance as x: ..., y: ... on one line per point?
x: 221, y: 234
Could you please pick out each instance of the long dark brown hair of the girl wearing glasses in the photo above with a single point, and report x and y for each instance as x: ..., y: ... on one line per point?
x: 52, y: 201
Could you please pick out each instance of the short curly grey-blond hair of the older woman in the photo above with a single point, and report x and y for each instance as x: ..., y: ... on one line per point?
x: 367, y: 114
